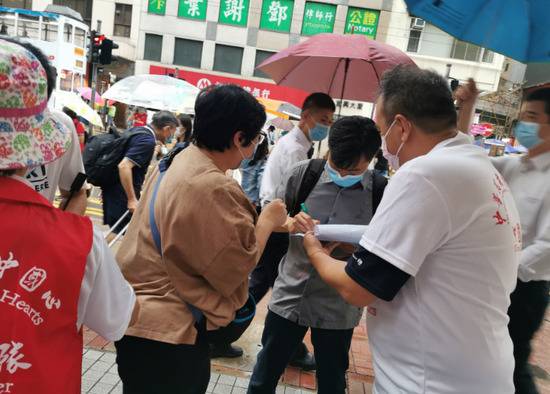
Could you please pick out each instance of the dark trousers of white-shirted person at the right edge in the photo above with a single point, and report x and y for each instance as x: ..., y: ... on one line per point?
x: 528, y: 304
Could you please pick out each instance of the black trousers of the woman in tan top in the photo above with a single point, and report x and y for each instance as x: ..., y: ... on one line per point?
x: 151, y: 367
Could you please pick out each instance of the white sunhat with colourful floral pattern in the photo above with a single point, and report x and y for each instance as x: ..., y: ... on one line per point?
x: 29, y: 135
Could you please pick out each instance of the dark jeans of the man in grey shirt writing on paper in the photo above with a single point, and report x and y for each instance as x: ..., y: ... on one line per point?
x: 281, y: 338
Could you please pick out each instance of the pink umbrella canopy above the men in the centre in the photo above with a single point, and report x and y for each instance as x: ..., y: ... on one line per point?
x: 343, y: 66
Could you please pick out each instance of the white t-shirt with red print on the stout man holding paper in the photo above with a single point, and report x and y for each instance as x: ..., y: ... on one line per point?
x: 448, y: 219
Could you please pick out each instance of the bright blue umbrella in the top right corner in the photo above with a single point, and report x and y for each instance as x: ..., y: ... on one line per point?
x: 516, y: 28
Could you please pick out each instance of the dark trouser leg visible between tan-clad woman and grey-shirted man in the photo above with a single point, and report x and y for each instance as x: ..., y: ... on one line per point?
x: 264, y: 275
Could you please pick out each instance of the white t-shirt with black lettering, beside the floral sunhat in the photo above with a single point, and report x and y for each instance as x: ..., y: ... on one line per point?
x: 60, y: 173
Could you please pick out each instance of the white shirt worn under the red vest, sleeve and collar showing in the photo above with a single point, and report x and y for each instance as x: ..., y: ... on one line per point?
x: 106, y: 299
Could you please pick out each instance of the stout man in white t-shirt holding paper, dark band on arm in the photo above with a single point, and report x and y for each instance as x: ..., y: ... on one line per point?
x: 439, y: 259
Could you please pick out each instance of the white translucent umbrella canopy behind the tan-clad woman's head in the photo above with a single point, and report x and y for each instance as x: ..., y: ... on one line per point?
x: 154, y: 91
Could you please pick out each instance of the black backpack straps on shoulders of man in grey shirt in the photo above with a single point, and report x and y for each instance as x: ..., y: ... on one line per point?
x: 310, y: 178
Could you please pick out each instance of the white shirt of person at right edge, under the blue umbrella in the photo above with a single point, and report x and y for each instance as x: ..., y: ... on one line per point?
x: 529, y: 181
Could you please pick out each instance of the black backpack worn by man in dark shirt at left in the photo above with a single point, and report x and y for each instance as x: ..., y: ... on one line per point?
x: 103, y: 152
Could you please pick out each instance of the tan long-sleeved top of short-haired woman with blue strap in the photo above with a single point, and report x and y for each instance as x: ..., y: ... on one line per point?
x: 207, y: 231
